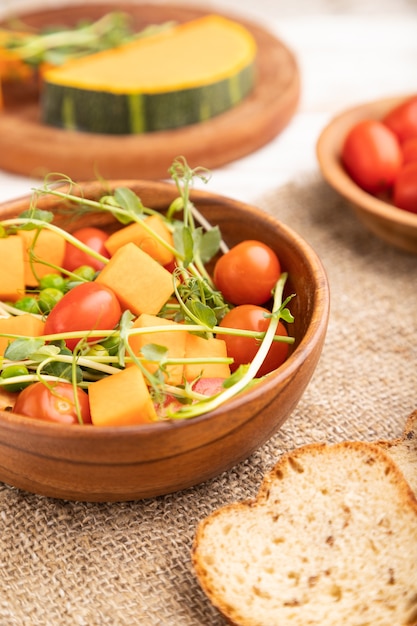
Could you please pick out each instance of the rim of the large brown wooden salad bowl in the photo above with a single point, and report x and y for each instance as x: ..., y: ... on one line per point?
x: 312, y: 337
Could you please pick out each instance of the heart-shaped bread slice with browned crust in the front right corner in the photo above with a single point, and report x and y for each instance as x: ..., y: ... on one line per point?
x: 330, y: 540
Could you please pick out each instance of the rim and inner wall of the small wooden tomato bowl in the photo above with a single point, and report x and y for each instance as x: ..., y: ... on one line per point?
x: 328, y: 155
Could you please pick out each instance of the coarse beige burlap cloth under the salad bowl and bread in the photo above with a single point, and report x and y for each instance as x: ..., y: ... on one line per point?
x: 65, y: 563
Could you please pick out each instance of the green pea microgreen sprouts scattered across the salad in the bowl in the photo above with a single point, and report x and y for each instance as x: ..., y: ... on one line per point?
x: 198, y: 305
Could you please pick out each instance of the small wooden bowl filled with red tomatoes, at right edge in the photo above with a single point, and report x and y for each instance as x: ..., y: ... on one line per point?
x: 369, y: 155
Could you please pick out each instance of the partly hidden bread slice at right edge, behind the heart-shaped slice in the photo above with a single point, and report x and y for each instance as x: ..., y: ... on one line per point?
x: 404, y: 451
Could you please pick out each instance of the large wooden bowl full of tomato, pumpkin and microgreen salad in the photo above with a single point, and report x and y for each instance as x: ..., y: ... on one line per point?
x: 152, y: 336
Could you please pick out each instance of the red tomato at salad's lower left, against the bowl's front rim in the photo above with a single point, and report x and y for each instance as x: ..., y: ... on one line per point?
x: 53, y: 404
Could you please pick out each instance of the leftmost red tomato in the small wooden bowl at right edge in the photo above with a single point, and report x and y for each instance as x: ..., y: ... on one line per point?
x: 371, y: 154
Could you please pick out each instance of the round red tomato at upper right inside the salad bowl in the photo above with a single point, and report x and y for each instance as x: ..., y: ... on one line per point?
x: 247, y: 273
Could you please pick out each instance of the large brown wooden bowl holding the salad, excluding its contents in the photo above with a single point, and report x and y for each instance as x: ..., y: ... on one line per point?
x: 88, y: 463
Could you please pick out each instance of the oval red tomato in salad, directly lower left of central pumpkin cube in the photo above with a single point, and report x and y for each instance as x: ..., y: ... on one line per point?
x: 88, y: 306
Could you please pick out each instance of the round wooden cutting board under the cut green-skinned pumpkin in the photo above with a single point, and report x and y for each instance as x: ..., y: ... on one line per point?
x: 31, y: 148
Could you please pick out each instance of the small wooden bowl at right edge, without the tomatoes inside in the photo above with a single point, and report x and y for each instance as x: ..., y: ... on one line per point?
x: 393, y: 225
